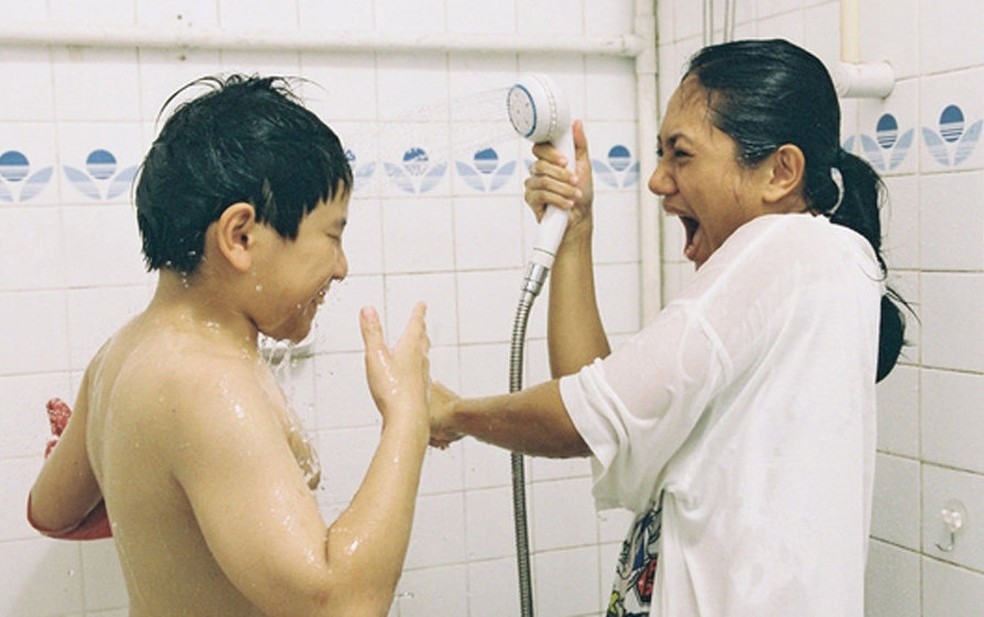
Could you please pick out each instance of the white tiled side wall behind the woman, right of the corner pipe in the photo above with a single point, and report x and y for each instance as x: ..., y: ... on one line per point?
x: 931, y: 409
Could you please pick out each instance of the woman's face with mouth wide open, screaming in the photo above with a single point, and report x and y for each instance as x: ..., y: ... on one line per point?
x: 699, y: 177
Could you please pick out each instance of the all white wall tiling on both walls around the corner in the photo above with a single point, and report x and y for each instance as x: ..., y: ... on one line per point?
x: 70, y: 271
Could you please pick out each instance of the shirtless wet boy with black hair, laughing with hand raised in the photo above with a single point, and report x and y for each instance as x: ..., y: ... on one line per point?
x: 179, y: 427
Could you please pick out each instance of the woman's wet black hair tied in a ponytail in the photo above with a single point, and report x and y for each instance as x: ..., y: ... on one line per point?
x: 767, y: 93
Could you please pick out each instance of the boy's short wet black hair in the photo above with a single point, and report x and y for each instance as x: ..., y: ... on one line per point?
x: 247, y: 139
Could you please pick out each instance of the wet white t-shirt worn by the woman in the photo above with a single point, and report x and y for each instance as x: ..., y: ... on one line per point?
x: 748, y: 407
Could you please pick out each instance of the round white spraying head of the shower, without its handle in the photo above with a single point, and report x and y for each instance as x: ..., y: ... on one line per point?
x: 536, y: 109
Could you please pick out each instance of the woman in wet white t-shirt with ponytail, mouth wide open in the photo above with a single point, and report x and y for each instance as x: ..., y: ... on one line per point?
x: 739, y: 424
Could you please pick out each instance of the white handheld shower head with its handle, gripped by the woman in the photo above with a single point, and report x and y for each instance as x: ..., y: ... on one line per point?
x: 539, y: 112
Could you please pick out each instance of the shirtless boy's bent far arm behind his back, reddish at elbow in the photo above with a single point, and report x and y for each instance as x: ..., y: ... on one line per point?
x: 65, y: 501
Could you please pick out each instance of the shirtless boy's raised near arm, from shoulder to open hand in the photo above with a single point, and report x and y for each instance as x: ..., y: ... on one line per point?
x: 260, y: 520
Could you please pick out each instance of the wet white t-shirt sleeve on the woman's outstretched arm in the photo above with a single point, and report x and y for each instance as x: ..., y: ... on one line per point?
x: 636, y: 408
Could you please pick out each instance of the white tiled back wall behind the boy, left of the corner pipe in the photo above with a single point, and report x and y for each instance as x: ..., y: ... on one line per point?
x: 71, y: 270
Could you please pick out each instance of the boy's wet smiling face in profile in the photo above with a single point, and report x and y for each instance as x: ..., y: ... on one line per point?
x: 293, y: 277
